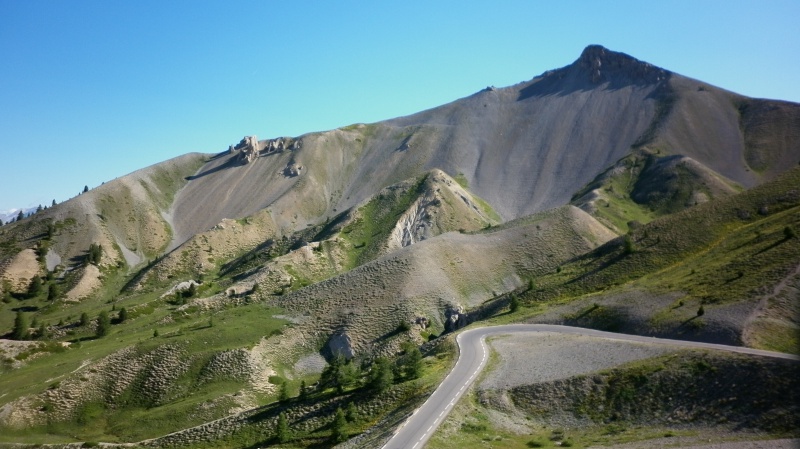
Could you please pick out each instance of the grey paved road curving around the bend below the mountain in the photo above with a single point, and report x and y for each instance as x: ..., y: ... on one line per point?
x: 472, y: 345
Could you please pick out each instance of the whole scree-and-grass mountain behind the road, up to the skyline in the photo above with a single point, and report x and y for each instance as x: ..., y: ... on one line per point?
x: 608, y: 193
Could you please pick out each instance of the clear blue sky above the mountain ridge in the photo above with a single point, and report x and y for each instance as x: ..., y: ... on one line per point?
x: 92, y: 90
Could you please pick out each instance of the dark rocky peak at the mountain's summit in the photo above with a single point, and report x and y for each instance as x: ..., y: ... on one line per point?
x: 603, y: 65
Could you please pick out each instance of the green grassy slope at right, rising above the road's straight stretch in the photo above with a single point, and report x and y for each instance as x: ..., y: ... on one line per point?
x: 727, y: 255
